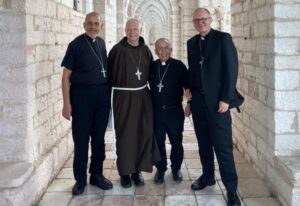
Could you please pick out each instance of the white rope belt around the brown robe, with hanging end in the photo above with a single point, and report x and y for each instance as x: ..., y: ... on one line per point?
x: 112, y: 111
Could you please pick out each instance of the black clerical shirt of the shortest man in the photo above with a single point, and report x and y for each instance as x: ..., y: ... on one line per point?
x: 173, y: 82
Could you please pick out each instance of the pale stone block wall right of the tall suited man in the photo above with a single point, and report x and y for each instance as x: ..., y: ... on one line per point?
x: 266, y: 34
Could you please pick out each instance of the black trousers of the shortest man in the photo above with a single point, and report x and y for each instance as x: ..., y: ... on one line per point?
x: 169, y: 121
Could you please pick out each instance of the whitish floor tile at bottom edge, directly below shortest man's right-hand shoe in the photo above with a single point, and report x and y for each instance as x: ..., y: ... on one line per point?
x: 182, y: 200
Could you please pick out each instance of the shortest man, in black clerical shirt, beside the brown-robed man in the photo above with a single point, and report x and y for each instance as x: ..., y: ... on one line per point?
x: 167, y: 79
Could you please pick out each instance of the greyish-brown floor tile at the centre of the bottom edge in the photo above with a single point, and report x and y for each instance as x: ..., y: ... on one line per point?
x: 146, y: 200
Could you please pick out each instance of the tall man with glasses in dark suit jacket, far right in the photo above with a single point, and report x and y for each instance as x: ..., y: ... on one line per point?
x: 213, y: 68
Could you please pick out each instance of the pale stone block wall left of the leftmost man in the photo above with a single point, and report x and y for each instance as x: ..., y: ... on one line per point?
x: 34, y: 36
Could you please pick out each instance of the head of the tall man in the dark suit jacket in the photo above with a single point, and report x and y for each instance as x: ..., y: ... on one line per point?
x: 202, y: 21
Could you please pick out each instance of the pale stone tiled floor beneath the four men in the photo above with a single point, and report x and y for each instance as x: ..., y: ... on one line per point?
x: 251, y: 189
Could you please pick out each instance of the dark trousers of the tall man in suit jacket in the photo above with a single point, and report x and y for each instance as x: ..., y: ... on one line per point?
x: 214, y: 134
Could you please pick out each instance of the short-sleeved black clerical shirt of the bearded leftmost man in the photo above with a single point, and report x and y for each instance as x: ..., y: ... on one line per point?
x: 87, y: 68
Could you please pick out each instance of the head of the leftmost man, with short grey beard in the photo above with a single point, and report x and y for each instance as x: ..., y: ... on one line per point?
x: 92, y: 24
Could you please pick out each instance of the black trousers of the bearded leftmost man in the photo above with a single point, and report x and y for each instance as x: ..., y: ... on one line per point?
x: 90, y: 112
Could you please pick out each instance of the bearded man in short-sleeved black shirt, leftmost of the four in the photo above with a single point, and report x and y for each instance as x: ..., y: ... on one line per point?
x: 86, y: 98
